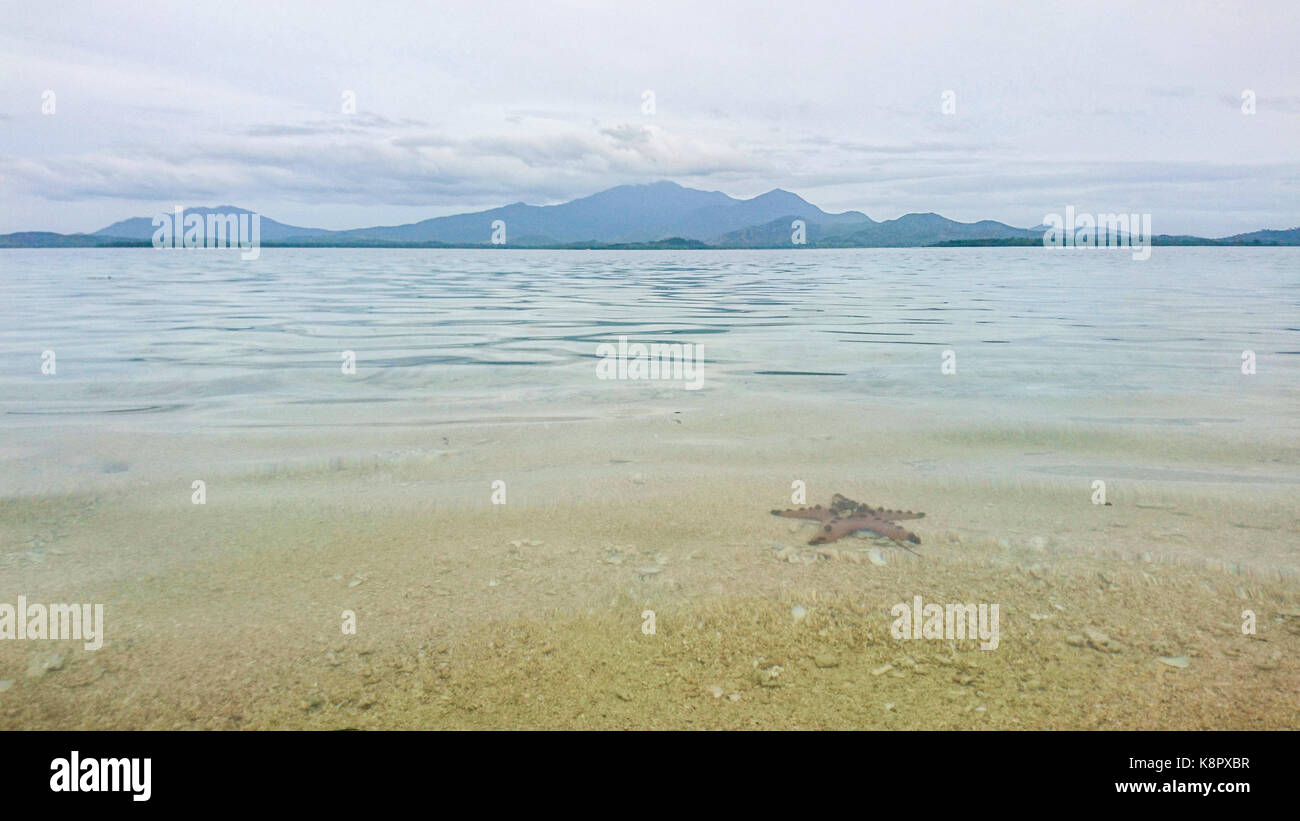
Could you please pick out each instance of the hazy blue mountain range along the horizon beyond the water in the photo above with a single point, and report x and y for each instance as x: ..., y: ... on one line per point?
x: 657, y: 216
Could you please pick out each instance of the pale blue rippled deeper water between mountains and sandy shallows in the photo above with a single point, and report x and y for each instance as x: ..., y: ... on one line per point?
x: 183, y: 338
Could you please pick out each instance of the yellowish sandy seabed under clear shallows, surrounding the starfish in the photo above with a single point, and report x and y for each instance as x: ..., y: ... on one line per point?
x: 531, y: 615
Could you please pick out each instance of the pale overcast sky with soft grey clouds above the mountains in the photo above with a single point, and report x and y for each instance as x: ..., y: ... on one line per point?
x: 119, y: 110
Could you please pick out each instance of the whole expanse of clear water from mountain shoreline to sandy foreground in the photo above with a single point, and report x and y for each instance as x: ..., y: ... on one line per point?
x: 374, y: 490
